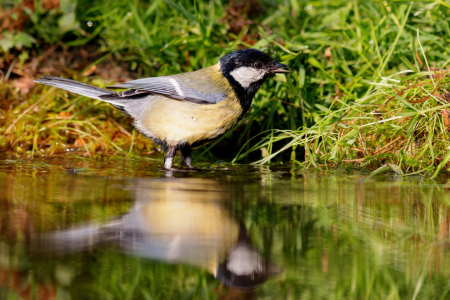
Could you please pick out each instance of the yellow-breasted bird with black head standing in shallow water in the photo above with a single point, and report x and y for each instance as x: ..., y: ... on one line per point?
x: 187, y: 110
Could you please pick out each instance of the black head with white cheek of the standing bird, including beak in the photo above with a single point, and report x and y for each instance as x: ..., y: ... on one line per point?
x: 246, y: 70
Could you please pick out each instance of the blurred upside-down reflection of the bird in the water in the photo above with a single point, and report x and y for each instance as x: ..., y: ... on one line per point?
x: 179, y: 221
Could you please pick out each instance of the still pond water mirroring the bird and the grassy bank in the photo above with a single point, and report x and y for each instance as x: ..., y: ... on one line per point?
x: 74, y: 228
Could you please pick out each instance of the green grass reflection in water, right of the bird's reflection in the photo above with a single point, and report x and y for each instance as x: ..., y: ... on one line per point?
x: 341, y: 240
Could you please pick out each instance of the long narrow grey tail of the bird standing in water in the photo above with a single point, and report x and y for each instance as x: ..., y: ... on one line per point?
x: 74, y: 87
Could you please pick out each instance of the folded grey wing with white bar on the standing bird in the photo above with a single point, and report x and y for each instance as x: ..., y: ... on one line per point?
x: 168, y: 86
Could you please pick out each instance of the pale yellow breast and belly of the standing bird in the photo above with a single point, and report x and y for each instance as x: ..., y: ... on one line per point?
x: 178, y: 122
